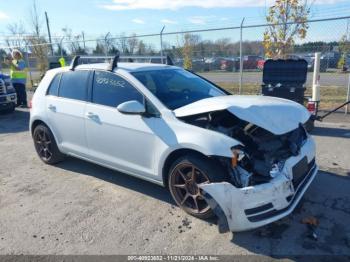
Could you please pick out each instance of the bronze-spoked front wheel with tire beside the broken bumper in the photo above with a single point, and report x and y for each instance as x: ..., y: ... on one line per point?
x: 184, y: 186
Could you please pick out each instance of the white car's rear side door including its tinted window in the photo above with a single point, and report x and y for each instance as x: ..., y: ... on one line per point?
x: 66, y: 101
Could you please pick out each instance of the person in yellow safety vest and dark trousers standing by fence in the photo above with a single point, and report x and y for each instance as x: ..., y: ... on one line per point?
x: 18, y: 74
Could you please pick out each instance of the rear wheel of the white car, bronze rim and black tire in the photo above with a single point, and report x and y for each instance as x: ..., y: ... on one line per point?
x: 45, y: 145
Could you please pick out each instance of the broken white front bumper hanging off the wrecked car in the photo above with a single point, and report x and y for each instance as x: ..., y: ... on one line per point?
x: 246, y: 208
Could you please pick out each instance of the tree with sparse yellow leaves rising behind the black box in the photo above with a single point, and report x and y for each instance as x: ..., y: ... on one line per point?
x: 287, y: 21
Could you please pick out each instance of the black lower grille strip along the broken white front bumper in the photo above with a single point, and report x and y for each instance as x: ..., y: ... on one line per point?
x: 291, y: 199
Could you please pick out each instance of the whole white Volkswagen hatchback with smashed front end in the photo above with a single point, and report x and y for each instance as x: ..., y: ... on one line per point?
x: 247, y: 159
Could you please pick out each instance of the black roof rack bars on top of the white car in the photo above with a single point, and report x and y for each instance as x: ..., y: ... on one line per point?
x: 113, y: 60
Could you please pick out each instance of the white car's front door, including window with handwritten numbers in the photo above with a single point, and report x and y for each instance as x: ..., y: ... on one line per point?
x: 123, y: 141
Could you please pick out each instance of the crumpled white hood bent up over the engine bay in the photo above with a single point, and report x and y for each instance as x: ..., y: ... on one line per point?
x: 276, y: 115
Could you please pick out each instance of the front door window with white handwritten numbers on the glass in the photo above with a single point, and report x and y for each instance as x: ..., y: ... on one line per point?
x: 111, y: 90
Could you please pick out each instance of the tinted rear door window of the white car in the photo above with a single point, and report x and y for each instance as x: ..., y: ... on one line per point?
x: 73, y: 85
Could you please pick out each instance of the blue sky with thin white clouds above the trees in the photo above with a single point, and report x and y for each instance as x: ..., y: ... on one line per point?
x: 98, y: 17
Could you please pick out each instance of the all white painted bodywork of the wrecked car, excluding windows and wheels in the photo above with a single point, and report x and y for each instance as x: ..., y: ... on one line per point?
x: 140, y: 146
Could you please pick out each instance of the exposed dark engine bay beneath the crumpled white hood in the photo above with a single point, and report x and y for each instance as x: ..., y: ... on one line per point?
x: 261, y: 155
